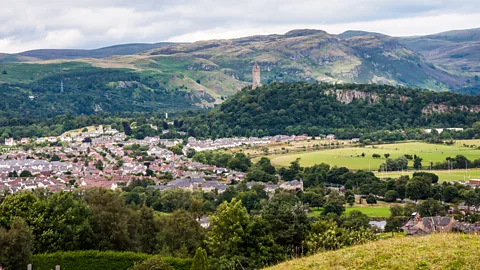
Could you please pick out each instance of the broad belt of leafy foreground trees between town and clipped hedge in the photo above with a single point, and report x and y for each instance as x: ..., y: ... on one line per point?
x: 248, y: 228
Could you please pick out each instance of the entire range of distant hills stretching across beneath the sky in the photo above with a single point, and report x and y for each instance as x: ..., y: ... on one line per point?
x: 206, y: 72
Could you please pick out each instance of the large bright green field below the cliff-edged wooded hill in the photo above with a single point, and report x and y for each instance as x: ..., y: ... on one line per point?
x: 352, y: 159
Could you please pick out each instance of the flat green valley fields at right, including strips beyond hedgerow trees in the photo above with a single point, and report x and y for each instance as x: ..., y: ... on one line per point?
x: 351, y: 157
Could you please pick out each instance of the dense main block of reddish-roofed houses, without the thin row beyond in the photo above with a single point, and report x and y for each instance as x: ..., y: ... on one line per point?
x: 76, y: 166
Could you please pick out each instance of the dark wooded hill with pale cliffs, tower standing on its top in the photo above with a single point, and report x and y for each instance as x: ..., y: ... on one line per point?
x: 347, y: 110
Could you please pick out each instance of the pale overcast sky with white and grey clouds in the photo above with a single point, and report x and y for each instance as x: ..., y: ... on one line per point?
x: 36, y: 24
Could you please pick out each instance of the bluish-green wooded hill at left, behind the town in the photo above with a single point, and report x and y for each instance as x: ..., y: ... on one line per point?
x: 88, y: 91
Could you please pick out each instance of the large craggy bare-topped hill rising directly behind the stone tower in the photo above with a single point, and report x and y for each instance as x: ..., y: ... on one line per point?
x: 314, y: 55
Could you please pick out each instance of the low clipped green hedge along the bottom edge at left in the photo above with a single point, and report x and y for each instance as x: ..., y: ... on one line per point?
x: 98, y: 260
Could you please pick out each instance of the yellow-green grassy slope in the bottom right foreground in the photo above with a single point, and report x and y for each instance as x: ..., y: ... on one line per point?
x: 437, y: 251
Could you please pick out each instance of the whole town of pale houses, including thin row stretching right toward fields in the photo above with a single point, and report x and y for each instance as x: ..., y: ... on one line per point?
x: 102, y: 157
